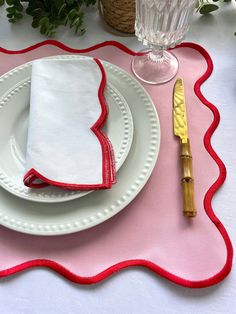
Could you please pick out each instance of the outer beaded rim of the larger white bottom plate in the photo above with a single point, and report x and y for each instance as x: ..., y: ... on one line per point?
x: 128, y: 196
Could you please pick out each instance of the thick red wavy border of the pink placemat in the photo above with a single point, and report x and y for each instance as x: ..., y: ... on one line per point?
x: 207, y: 201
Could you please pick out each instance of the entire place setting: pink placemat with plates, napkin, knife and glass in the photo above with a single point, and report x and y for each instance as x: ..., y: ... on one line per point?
x: 106, y: 158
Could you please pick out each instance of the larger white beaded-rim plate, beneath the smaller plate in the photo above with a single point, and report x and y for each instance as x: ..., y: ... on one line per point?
x: 85, y: 212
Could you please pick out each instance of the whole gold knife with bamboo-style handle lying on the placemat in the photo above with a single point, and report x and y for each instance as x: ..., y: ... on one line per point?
x: 181, y: 130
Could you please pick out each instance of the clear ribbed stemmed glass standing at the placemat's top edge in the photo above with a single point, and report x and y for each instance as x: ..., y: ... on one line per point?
x: 160, y: 24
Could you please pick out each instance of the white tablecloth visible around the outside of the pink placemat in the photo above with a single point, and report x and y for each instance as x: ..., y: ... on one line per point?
x: 137, y: 290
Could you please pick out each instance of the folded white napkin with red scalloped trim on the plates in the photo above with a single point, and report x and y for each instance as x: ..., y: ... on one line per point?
x: 66, y: 147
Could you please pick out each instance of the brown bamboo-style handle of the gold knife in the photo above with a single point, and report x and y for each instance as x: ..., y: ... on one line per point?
x: 187, y: 180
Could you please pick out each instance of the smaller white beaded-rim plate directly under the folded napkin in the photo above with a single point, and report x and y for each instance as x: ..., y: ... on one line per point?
x: 14, y: 112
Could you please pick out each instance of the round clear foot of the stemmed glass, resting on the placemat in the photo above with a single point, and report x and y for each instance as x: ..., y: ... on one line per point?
x: 155, y: 67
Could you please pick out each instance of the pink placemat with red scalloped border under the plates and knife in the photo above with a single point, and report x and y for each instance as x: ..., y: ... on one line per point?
x: 151, y: 231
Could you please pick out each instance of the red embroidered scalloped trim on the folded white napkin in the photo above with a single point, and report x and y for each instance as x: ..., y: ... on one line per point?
x: 108, y: 170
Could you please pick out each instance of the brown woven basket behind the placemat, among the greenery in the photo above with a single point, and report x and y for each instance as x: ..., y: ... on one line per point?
x: 120, y: 14
